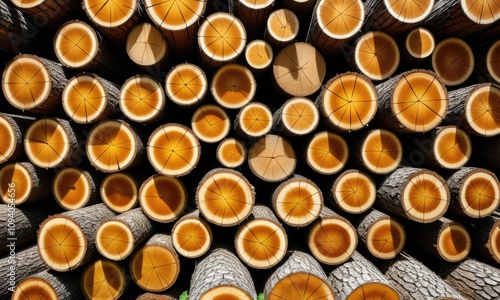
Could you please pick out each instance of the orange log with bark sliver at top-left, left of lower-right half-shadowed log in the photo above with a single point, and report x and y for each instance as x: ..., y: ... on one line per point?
x: 332, y: 239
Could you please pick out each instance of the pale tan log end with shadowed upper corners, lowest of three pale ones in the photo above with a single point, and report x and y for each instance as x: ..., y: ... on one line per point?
x: 272, y: 158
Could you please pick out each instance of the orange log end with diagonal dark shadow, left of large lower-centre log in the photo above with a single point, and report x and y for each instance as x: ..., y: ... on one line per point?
x: 163, y: 198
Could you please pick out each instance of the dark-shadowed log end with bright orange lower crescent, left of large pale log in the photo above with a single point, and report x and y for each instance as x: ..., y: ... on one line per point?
x: 233, y: 86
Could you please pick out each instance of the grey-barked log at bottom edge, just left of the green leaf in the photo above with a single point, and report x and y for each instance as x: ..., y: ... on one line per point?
x: 220, y: 275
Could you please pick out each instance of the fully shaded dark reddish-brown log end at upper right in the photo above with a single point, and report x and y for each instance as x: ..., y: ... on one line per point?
x: 453, y: 61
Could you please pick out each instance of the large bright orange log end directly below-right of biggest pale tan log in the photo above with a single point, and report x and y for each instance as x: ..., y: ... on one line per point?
x: 348, y: 102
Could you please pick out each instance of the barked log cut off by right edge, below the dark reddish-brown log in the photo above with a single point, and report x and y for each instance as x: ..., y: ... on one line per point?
x: 475, y: 109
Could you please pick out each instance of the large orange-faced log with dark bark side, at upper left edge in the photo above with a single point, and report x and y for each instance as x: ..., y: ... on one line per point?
x: 33, y: 83
